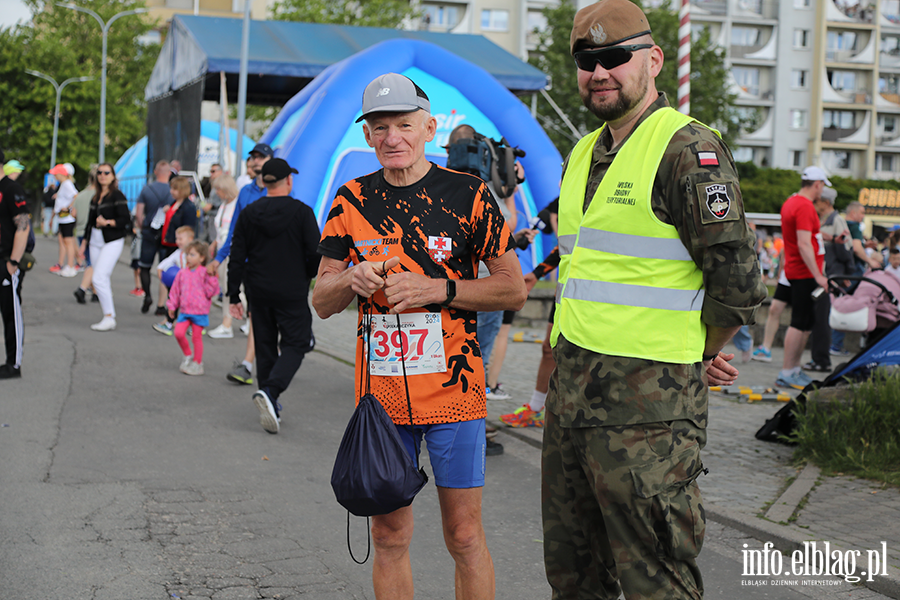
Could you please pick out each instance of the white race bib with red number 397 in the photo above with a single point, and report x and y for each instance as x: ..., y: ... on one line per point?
x: 421, y: 338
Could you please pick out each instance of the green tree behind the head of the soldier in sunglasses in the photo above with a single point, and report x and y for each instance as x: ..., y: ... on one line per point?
x: 714, y: 106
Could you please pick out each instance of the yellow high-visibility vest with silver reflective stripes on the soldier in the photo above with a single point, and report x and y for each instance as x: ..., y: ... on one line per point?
x: 627, y: 285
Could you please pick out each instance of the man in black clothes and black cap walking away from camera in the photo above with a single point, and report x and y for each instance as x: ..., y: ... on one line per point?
x: 273, y: 252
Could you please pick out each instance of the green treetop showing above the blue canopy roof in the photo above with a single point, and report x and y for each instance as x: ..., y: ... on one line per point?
x: 363, y: 13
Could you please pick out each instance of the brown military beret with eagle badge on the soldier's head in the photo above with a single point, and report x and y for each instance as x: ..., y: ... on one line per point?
x: 606, y: 23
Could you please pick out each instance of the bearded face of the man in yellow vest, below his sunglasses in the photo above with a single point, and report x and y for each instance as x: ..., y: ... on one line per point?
x: 612, y: 94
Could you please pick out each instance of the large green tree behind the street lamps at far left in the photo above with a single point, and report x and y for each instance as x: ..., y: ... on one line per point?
x: 64, y: 43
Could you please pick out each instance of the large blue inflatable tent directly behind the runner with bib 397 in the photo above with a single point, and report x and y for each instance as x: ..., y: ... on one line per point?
x: 317, y: 134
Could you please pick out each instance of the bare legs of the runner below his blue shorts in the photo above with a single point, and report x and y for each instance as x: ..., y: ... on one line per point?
x: 463, y: 535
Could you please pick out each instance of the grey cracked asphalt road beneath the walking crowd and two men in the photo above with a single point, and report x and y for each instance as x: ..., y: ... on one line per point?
x: 124, y: 479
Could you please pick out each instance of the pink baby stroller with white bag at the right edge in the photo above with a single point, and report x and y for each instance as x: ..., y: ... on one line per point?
x: 872, y: 308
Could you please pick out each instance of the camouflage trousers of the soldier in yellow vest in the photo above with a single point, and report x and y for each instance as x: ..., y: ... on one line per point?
x: 621, y: 506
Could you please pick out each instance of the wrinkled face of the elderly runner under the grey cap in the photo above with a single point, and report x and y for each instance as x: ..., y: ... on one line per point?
x: 399, y: 138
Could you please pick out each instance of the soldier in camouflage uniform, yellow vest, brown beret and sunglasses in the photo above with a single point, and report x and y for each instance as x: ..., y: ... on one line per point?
x: 657, y: 272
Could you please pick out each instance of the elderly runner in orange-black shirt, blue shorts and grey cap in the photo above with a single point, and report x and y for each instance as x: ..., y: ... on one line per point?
x: 415, y: 233
